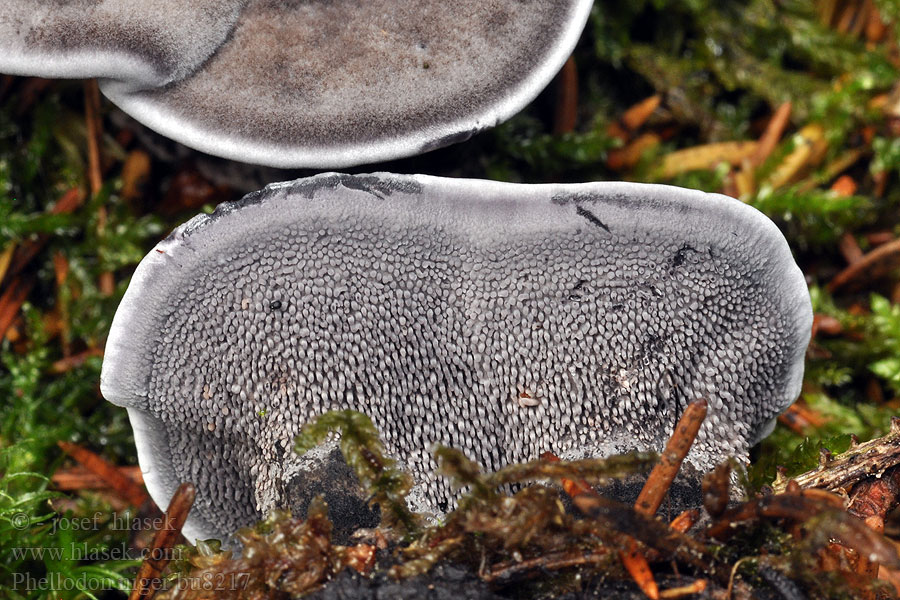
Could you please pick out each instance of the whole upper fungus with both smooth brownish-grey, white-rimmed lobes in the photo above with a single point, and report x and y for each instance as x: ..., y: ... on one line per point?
x: 301, y: 83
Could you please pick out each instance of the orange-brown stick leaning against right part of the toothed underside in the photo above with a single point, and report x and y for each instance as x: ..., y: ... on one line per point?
x: 663, y: 474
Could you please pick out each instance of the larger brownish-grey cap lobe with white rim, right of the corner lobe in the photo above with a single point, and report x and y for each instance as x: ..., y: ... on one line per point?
x: 339, y: 83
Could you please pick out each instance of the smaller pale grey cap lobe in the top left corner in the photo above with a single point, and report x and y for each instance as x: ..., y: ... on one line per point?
x: 139, y: 44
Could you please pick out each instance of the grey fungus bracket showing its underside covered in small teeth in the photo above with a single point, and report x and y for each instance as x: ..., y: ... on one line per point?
x: 502, y: 319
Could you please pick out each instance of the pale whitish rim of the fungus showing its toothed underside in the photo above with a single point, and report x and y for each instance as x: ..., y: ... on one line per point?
x: 122, y: 370
